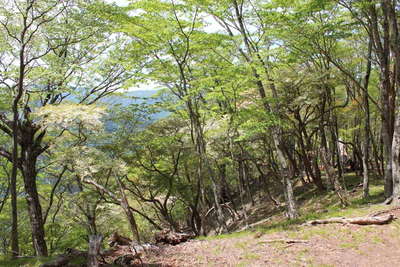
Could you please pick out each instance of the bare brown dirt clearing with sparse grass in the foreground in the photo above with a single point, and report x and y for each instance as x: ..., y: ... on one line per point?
x: 327, y: 245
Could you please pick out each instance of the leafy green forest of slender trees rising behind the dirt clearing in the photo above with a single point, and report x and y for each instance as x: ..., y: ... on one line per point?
x: 243, y: 104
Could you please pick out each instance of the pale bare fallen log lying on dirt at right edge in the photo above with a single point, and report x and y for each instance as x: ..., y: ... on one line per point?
x: 369, y: 220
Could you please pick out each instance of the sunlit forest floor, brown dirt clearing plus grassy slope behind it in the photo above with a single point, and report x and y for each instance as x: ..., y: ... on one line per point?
x: 324, y: 245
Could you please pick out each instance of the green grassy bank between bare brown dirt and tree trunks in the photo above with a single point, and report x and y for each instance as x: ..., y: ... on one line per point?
x: 320, y: 205
